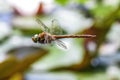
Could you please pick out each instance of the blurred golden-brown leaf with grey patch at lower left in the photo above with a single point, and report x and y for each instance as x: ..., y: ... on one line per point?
x: 19, y: 62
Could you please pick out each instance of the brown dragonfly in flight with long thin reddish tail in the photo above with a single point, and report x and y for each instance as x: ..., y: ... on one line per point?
x: 52, y: 34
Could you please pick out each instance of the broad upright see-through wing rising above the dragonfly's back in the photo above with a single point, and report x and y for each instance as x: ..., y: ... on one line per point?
x: 55, y: 28
